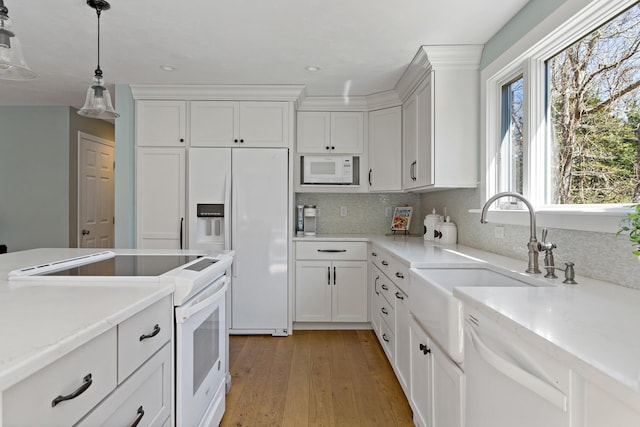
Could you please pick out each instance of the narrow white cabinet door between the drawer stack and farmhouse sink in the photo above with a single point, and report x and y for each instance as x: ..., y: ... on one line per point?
x: 403, y: 341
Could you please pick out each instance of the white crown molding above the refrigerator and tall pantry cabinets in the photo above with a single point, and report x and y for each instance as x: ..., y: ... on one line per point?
x: 293, y: 93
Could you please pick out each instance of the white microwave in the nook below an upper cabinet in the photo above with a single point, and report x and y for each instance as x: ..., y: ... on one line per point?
x: 327, y: 169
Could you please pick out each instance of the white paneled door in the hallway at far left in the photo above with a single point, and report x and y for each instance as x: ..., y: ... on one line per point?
x: 95, y: 192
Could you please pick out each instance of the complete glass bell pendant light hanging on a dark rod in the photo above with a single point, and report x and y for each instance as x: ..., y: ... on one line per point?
x: 98, y: 105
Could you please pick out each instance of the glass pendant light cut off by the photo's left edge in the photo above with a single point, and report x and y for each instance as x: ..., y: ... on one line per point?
x: 12, y: 63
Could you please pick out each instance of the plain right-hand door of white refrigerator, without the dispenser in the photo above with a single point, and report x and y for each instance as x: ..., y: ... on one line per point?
x: 259, y: 292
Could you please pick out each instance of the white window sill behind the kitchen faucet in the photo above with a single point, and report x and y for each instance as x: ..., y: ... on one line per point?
x: 602, y: 219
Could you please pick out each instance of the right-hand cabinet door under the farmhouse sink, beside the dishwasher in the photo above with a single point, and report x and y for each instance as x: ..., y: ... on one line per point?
x: 448, y: 386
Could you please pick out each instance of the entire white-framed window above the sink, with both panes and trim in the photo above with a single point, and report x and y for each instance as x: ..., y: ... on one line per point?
x: 561, y: 117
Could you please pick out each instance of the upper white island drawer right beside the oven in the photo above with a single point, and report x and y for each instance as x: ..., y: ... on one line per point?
x: 137, y: 337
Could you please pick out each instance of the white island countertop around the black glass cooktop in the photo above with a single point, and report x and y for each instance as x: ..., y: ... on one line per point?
x: 41, y: 322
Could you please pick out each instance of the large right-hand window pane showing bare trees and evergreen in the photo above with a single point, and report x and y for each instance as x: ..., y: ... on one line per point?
x: 593, y: 114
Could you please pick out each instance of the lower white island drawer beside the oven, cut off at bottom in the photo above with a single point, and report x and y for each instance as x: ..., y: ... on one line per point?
x: 145, y: 395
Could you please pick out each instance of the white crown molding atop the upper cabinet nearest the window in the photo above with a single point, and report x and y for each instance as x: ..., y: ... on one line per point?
x: 441, y: 57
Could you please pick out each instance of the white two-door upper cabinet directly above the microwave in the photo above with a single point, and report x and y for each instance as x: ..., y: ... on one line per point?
x: 330, y: 132
